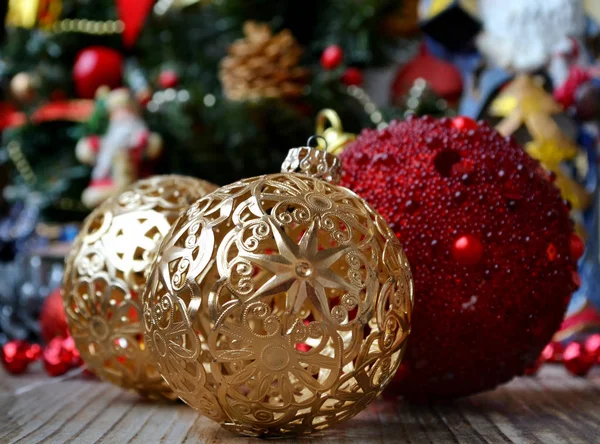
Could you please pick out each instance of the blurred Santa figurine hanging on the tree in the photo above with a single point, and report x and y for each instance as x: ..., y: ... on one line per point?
x: 118, y: 157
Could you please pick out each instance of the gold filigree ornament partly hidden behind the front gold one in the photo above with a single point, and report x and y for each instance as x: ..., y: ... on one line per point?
x: 106, y: 274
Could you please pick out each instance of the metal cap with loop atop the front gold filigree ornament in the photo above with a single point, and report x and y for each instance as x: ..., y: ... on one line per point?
x: 314, y: 162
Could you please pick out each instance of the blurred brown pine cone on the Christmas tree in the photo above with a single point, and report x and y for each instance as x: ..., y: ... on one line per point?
x: 263, y: 65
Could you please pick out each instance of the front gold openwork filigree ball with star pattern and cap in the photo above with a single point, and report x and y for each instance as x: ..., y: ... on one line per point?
x: 280, y: 304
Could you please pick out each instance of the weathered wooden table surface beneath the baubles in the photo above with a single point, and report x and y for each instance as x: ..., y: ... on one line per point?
x: 553, y: 407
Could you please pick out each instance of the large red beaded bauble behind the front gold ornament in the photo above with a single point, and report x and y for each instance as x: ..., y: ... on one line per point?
x: 477, y: 323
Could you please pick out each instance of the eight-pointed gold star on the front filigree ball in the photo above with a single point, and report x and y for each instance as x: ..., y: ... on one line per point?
x: 302, y: 270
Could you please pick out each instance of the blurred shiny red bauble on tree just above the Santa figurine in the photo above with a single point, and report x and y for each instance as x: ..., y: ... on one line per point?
x: 97, y: 66
